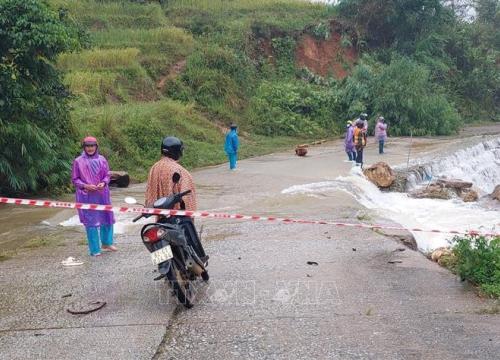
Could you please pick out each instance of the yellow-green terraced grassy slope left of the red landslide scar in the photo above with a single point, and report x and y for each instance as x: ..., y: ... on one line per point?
x: 147, y: 75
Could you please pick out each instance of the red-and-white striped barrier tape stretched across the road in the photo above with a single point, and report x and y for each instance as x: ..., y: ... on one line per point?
x: 204, y: 214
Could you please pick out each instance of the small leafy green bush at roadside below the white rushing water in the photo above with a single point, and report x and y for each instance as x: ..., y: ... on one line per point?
x: 478, y: 260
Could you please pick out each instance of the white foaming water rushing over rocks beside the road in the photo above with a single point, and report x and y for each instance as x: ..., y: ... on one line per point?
x: 478, y: 163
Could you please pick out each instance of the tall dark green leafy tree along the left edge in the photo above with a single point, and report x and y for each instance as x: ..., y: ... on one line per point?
x: 36, y: 135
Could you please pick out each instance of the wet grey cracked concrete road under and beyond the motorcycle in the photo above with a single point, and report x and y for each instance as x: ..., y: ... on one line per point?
x: 367, y: 298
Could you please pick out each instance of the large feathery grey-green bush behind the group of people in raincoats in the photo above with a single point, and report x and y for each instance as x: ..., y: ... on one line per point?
x: 404, y: 94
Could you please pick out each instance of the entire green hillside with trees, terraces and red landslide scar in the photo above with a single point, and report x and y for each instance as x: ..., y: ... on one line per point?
x: 285, y: 71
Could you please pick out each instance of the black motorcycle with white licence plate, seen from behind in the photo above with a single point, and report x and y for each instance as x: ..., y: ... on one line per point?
x: 175, y: 247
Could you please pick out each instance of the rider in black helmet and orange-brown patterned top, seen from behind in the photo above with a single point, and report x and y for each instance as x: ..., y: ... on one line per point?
x: 160, y: 183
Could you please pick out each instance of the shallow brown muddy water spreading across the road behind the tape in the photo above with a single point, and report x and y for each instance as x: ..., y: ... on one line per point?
x: 254, y: 188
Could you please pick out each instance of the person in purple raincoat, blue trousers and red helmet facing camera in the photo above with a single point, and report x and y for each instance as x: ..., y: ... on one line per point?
x: 90, y: 175
